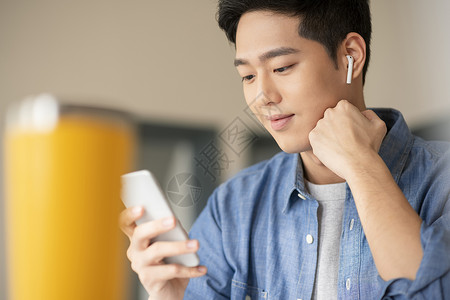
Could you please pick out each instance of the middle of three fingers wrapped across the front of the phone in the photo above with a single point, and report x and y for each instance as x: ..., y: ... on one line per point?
x: 160, y: 250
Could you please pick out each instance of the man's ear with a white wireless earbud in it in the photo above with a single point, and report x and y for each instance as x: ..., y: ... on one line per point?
x: 355, y: 46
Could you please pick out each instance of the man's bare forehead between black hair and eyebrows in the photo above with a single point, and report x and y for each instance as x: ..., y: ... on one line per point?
x: 259, y: 31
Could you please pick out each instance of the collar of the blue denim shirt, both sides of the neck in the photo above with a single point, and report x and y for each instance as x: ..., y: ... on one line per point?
x: 394, y: 151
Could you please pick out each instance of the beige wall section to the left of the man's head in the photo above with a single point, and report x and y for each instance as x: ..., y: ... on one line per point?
x: 161, y: 59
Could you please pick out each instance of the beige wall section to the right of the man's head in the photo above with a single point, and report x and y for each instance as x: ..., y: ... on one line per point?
x: 410, y: 69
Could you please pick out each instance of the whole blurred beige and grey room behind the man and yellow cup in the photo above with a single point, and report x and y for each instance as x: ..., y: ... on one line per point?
x: 168, y: 63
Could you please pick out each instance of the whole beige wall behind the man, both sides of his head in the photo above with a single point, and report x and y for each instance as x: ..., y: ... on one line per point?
x: 168, y: 61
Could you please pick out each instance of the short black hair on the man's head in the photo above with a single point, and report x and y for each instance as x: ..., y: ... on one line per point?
x: 325, y: 21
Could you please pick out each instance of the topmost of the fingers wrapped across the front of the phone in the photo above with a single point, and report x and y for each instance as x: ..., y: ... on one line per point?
x: 147, y: 231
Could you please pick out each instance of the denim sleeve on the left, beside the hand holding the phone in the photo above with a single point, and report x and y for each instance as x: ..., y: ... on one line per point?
x: 207, y: 229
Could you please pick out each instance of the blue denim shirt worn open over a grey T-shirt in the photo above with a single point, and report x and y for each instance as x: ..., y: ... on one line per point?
x: 253, y: 230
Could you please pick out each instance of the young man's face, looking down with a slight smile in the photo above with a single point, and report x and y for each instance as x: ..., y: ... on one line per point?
x: 289, y: 81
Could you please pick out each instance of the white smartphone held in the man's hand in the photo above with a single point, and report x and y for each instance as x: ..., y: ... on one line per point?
x: 141, y: 188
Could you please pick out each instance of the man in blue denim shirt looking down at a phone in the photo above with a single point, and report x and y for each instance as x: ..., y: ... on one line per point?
x: 354, y: 208
